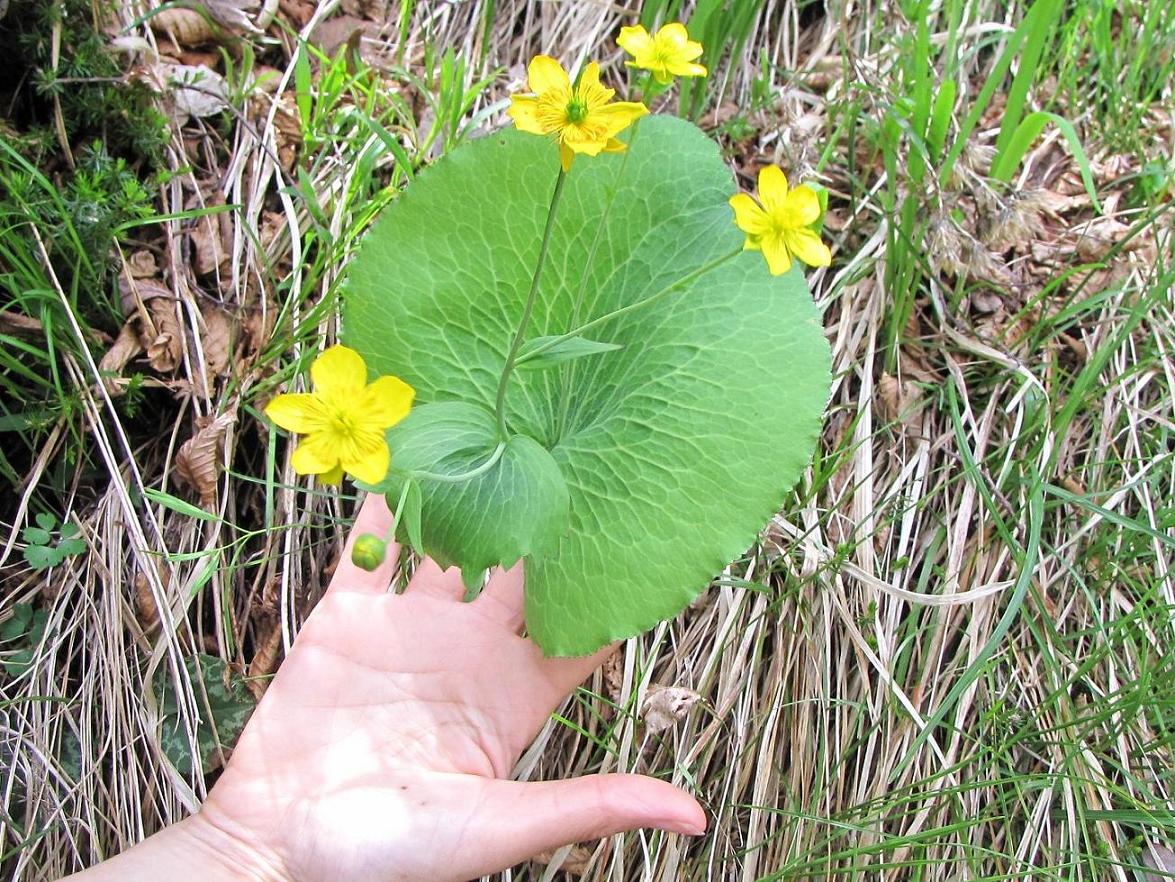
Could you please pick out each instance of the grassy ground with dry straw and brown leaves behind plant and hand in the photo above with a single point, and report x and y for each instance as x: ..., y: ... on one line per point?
x: 949, y: 658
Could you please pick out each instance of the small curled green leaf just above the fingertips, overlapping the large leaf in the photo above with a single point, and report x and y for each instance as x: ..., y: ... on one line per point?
x: 515, y: 508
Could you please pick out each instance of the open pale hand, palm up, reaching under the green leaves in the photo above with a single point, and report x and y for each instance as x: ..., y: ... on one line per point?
x: 381, y: 750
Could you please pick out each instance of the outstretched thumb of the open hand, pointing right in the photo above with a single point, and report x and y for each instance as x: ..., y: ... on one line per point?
x: 546, y: 816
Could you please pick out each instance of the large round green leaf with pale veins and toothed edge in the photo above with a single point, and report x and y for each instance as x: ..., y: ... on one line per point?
x: 676, y: 448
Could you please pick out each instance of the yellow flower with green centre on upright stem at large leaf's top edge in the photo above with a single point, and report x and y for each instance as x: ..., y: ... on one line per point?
x: 580, y: 117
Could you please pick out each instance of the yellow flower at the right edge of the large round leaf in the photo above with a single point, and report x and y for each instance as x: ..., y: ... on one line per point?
x: 781, y: 224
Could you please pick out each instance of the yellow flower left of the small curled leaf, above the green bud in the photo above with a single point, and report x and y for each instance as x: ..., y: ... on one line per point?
x: 344, y: 419
